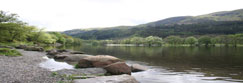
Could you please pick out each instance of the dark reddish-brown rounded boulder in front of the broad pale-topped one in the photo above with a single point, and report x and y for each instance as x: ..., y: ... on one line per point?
x: 118, y: 68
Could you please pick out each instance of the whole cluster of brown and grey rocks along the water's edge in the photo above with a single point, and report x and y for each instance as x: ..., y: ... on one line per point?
x: 106, y: 64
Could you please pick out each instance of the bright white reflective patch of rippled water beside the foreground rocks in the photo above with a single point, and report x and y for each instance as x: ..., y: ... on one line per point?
x: 160, y: 75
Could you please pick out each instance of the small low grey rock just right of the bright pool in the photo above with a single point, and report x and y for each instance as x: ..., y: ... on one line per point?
x: 75, y: 57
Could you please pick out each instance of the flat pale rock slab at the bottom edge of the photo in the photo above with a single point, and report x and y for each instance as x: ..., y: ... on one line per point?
x: 108, y: 79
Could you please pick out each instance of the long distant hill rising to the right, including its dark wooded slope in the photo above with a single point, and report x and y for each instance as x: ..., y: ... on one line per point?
x: 226, y: 22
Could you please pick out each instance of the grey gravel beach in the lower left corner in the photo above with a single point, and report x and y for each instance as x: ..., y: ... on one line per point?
x: 25, y: 69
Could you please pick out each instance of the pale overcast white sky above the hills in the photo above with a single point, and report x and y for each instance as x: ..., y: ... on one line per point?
x: 61, y: 15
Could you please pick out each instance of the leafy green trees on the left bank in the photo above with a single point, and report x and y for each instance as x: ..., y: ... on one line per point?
x: 13, y: 30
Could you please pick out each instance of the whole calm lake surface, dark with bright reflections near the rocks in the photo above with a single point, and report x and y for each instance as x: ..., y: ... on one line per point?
x: 179, y: 64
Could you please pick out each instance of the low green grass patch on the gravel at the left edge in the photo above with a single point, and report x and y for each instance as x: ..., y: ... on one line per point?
x: 9, y: 52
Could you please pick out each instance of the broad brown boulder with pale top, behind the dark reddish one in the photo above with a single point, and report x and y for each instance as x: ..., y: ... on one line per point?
x: 97, y: 61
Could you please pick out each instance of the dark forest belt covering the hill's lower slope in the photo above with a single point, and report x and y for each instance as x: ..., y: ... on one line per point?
x: 203, y: 28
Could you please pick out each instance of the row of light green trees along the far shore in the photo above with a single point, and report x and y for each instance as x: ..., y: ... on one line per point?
x: 206, y: 40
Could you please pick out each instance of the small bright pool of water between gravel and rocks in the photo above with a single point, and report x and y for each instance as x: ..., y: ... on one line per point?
x: 53, y: 65
